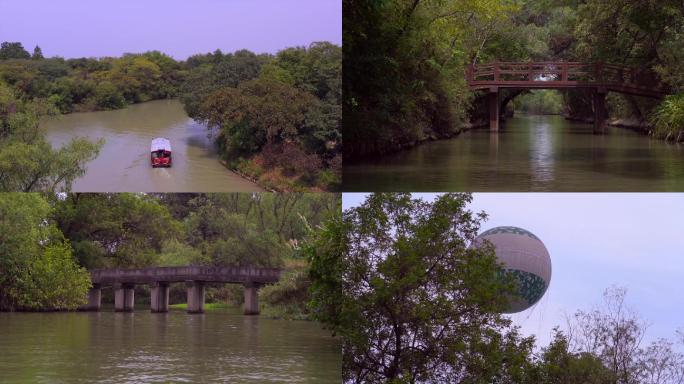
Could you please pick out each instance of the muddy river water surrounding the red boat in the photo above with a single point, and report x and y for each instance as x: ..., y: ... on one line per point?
x: 124, y: 162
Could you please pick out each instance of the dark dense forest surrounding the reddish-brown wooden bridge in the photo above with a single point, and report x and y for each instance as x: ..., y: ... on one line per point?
x: 404, y: 61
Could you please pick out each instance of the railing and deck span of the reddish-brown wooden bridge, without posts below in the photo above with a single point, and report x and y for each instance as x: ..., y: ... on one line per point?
x: 564, y: 75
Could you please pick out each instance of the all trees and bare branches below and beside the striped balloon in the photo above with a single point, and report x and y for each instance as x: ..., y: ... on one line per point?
x: 395, y: 277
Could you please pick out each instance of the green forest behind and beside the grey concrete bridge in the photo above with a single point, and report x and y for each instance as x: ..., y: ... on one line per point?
x: 48, y: 242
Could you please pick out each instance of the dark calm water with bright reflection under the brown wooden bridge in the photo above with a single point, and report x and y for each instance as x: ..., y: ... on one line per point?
x: 530, y: 153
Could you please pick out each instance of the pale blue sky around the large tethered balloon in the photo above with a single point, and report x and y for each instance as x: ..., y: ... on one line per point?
x: 597, y: 240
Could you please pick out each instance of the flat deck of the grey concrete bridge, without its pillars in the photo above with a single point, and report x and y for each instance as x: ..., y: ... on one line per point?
x: 179, y: 274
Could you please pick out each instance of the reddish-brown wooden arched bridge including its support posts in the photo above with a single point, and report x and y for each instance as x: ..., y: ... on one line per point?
x: 599, y: 77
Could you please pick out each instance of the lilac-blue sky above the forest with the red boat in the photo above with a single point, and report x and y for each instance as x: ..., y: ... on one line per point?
x: 76, y: 28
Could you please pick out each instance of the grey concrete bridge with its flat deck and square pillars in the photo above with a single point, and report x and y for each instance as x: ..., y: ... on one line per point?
x: 158, y: 278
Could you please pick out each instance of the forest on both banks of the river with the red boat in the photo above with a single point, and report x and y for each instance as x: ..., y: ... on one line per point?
x: 275, y: 118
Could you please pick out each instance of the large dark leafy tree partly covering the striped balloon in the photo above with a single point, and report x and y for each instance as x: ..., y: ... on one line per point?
x: 396, y: 278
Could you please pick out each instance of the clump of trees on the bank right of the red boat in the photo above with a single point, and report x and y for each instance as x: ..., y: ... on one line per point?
x: 278, y: 117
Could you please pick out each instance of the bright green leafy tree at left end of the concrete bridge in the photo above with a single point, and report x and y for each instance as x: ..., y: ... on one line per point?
x: 37, y: 270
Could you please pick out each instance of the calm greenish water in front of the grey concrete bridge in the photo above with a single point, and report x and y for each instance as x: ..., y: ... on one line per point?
x: 141, y: 347
